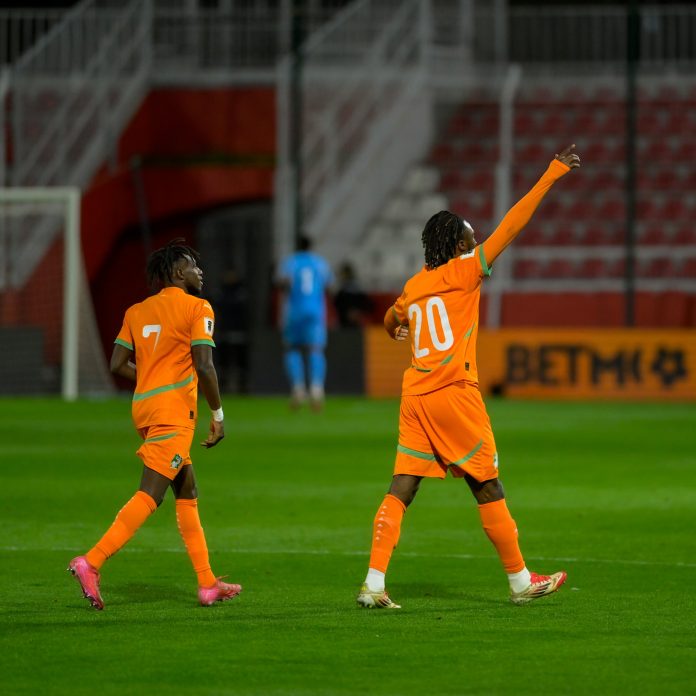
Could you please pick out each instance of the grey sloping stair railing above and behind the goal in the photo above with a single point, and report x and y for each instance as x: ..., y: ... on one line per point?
x: 71, y: 95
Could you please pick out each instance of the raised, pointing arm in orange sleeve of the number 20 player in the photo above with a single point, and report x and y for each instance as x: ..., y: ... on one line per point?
x: 520, y: 213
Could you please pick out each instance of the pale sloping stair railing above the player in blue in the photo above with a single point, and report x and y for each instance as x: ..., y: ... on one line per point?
x: 366, y: 115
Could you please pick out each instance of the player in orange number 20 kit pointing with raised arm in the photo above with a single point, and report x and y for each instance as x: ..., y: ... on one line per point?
x: 443, y: 424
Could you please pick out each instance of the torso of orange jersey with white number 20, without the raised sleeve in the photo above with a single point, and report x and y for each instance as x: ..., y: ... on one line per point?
x: 441, y: 308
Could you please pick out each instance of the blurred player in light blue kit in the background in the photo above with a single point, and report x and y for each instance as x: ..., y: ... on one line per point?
x: 304, y: 278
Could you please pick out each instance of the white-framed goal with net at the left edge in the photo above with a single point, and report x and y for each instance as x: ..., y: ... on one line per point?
x: 49, y: 342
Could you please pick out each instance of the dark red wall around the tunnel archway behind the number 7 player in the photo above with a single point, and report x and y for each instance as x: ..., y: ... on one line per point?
x: 184, y: 152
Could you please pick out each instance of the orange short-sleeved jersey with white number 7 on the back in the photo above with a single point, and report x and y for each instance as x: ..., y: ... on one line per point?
x: 161, y: 331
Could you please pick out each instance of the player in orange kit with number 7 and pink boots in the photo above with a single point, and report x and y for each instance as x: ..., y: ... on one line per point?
x: 171, y: 336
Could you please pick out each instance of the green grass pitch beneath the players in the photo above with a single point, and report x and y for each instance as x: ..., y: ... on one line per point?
x: 605, y: 490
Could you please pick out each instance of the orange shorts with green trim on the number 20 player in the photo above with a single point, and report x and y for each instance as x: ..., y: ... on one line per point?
x: 447, y: 429
